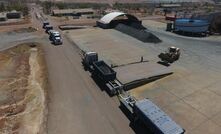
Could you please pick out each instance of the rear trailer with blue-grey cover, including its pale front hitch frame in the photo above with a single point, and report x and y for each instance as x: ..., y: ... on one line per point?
x: 150, y: 115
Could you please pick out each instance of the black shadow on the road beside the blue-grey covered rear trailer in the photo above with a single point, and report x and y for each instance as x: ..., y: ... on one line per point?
x: 138, y: 127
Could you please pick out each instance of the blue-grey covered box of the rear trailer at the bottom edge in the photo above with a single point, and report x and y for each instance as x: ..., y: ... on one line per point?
x: 163, y: 124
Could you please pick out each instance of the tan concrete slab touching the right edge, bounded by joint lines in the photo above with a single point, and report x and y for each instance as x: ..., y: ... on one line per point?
x: 205, y: 101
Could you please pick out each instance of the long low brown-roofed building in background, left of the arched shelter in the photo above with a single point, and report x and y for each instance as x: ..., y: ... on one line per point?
x: 73, y: 12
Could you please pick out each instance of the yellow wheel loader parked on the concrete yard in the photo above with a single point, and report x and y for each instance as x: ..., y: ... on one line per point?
x: 170, y: 56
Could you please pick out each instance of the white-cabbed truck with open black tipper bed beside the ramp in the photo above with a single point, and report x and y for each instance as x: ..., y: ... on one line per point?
x: 103, y: 72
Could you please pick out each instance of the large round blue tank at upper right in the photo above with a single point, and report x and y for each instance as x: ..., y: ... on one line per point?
x: 191, y: 25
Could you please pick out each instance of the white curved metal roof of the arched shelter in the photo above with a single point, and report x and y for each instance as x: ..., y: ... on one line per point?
x: 109, y: 17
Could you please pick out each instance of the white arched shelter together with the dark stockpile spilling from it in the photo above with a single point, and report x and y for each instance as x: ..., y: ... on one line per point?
x: 128, y: 24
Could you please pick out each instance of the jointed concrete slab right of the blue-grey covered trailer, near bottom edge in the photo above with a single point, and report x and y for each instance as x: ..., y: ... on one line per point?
x: 185, y: 115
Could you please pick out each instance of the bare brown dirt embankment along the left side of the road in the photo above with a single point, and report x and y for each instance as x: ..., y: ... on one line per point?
x: 23, y: 80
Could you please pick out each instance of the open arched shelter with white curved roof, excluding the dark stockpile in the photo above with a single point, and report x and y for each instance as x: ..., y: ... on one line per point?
x: 108, y: 21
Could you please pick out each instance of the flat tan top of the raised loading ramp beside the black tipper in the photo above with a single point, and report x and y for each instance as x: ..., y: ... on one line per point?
x: 140, y: 71
